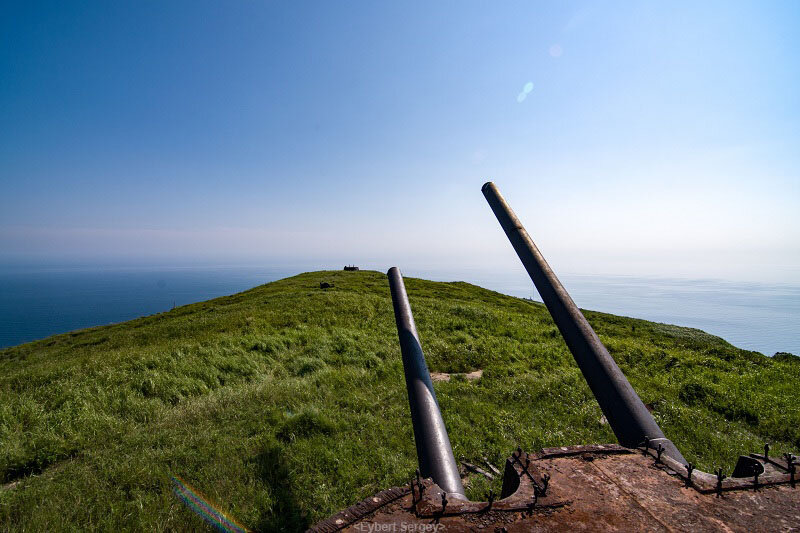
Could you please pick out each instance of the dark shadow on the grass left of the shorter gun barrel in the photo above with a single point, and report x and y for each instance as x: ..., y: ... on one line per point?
x: 284, y: 514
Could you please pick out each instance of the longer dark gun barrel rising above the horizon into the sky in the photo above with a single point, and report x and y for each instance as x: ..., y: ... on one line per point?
x: 628, y: 417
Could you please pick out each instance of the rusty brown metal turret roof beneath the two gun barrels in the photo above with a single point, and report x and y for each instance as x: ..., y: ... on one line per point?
x: 588, y: 488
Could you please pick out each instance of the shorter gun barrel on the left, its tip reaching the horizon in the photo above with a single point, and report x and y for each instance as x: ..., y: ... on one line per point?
x: 434, y: 454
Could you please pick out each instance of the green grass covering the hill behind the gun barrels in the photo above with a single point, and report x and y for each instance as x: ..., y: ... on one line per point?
x: 286, y: 403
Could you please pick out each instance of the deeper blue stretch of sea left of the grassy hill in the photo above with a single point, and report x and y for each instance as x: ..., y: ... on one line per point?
x: 38, y: 303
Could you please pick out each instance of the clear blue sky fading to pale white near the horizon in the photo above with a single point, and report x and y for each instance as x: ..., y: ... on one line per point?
x: 631, y: 138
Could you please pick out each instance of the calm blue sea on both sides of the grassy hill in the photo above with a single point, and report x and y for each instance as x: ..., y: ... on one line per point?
x: 37, y: 303
